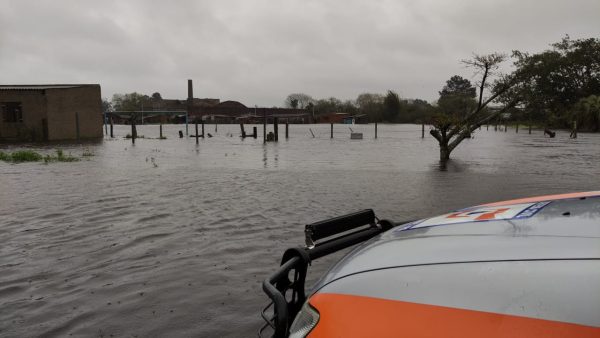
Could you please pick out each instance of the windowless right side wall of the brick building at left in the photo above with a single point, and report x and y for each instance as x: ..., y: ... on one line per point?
x: 64, y: 103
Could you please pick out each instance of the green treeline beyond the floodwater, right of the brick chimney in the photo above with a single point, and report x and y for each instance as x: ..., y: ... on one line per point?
x: 555, y: 88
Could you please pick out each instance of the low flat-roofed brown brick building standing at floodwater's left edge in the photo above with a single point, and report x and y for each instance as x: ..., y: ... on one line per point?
x: 50, y: 112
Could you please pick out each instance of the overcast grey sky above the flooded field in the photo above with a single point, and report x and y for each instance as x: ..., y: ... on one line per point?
x: 259, y: 51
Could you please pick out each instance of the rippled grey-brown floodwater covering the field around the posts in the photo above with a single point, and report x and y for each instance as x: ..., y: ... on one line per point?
x: 172, y: 239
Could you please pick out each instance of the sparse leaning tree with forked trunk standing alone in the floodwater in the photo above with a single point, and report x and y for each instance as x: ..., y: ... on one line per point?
x: 451, y: 130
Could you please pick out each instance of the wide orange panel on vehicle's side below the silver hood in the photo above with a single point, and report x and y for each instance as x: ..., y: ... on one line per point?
x: 358, y: 316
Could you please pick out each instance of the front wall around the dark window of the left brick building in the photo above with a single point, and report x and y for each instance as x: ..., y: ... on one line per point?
x: 33, y: 104
